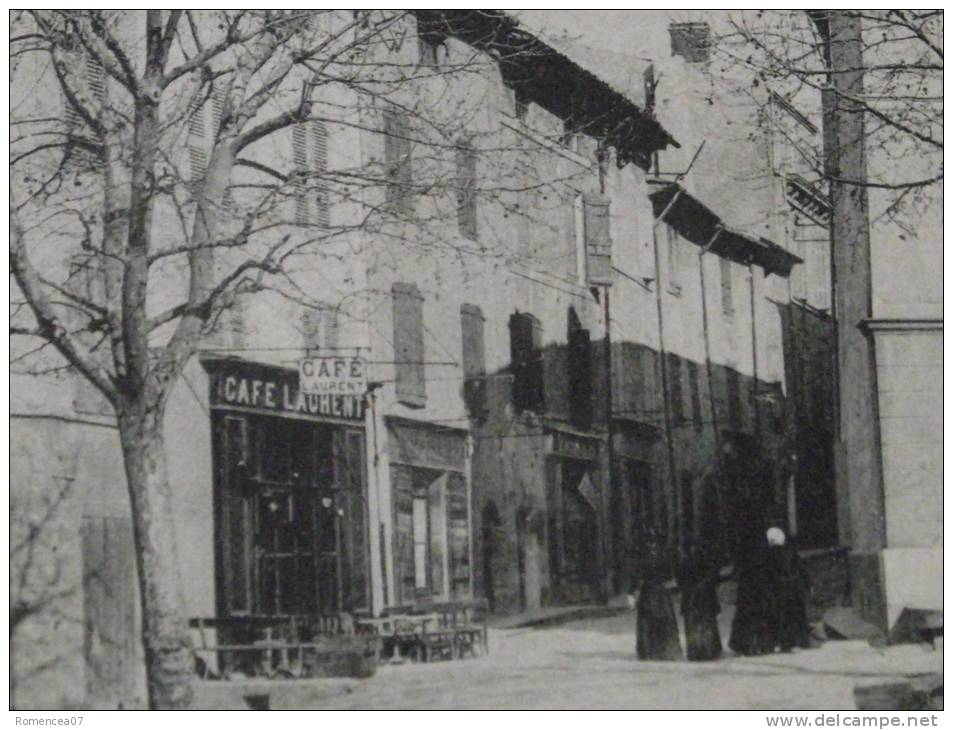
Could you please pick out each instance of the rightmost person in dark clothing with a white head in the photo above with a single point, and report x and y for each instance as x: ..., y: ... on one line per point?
x: 789, y: 619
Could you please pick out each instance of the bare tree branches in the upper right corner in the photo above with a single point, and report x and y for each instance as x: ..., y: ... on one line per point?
x: 900, y: 94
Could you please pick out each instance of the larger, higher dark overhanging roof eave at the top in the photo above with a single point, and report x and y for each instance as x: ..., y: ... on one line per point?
x: 545, y: 76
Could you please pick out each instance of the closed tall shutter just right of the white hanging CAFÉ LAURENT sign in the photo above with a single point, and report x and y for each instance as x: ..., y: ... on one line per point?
x: 409, y: 345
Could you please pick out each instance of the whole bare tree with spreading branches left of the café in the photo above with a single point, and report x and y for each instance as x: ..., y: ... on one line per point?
x: 166, y: 164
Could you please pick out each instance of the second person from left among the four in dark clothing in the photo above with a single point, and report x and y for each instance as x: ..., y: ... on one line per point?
x: 698, y: 582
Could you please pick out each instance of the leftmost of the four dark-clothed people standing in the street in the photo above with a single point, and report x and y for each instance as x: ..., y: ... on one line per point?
x: 656, y: 629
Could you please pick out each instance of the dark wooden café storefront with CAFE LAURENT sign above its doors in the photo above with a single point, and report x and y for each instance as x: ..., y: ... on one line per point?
x: 290, y: 506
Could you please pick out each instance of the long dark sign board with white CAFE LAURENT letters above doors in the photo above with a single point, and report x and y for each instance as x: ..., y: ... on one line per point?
x: 237, y: 384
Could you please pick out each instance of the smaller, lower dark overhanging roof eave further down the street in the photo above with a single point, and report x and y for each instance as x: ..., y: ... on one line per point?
x: 696, y: 222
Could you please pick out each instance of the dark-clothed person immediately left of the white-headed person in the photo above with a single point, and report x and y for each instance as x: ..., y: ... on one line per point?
x: 752, y: 629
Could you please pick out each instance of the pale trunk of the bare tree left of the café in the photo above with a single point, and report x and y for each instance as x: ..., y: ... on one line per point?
x: 165, y: 635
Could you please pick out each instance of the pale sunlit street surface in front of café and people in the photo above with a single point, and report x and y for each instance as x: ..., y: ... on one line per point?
x: 591, y: 665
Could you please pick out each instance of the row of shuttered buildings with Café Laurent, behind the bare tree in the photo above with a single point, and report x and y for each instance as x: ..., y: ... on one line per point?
x: 580, y: 338
